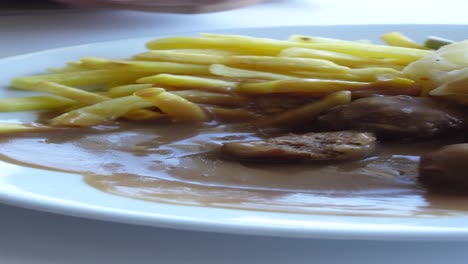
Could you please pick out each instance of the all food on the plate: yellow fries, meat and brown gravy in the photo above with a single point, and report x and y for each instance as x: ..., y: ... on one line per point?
x: 189, y: 119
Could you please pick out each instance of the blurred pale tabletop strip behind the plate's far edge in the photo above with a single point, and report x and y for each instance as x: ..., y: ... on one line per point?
x: 49, y: 25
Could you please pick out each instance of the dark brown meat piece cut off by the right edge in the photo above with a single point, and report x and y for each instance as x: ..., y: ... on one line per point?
x: 445, y: 170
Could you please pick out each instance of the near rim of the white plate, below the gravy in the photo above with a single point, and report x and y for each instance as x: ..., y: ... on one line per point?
x: 100, y: 213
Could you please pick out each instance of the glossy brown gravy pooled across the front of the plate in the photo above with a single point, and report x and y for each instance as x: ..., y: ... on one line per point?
x: 178, y: 164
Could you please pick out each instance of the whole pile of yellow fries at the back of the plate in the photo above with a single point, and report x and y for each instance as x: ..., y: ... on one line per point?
x: 218, y: 77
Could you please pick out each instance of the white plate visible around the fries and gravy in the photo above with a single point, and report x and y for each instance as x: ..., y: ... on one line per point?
x: 68, y: 194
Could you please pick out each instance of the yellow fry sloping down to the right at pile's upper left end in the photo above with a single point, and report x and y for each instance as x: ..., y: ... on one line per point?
x: 71, y: 93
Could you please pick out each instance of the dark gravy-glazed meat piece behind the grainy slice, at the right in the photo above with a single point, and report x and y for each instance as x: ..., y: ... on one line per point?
x: 396, y: 116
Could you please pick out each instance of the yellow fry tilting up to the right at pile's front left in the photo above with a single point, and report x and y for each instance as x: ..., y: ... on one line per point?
x: 100, y: 113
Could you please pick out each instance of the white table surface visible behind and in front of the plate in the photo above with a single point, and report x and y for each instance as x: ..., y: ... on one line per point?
x: 28, y: 236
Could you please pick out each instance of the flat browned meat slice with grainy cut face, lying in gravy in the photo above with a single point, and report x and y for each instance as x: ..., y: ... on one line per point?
x: 328, y: 146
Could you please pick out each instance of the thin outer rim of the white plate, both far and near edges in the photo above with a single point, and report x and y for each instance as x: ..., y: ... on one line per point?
x: 63, y: 207
